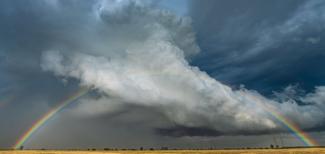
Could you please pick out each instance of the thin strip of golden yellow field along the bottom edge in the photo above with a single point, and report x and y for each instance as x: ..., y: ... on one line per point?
x: 259, y: 151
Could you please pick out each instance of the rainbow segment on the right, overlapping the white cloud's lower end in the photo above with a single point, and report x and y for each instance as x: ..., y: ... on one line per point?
x: 287, y: 123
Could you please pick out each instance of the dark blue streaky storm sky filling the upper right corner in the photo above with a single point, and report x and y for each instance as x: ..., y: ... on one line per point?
x: 263, y: 45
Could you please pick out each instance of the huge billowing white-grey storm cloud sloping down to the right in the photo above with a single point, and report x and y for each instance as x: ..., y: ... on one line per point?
x: 137, y: 54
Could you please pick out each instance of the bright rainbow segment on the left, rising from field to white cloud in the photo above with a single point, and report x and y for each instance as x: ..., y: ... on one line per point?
x: 65, y: 102
